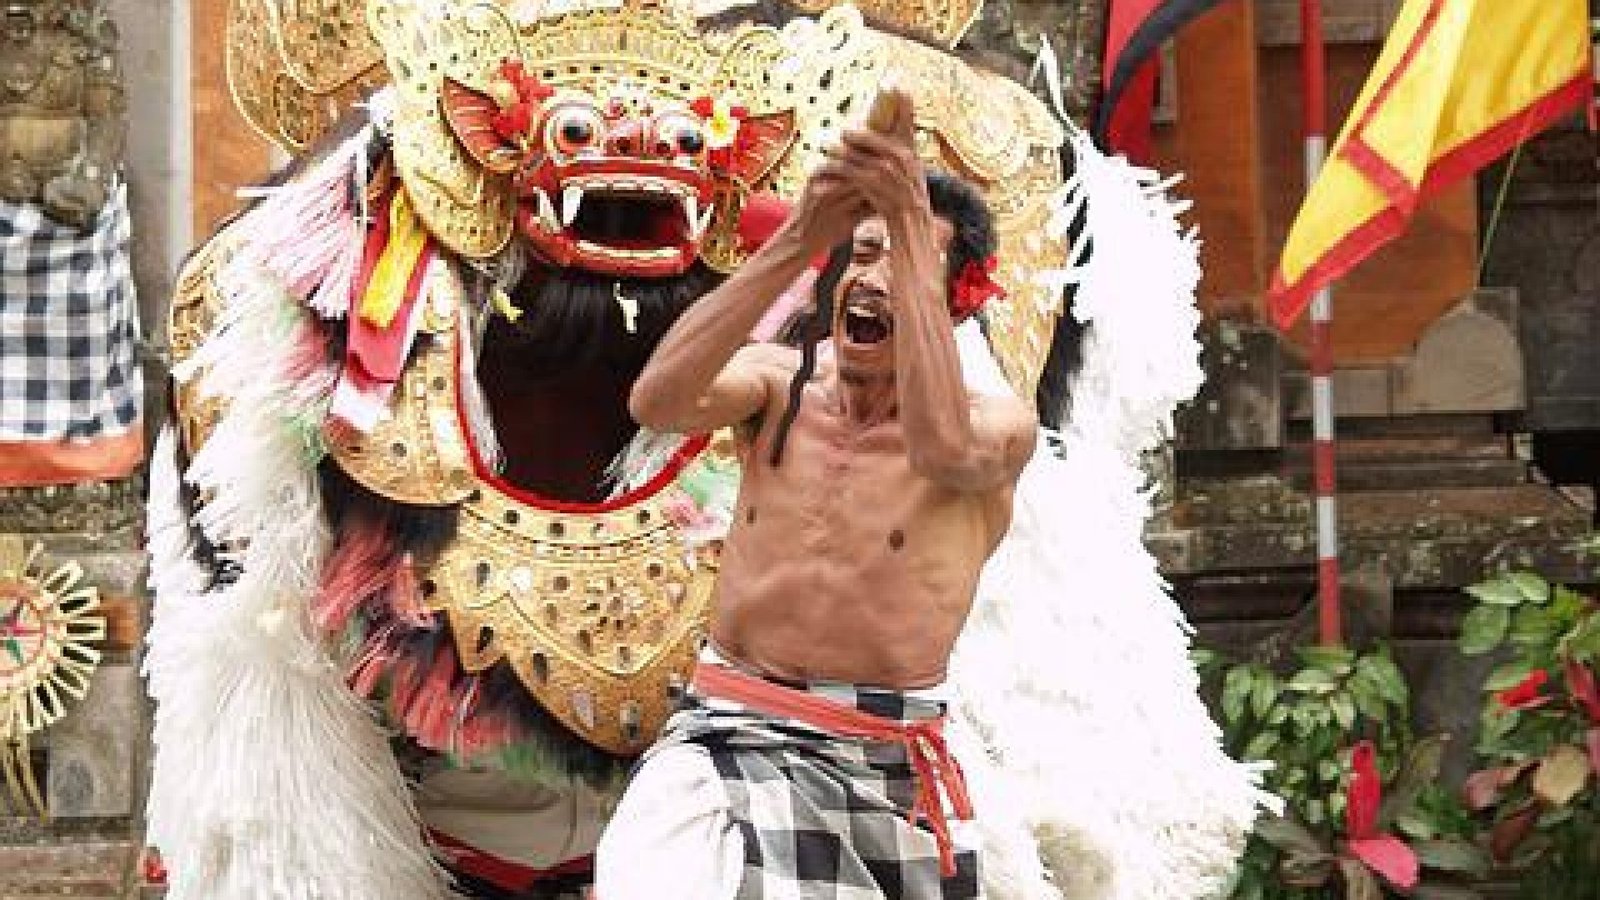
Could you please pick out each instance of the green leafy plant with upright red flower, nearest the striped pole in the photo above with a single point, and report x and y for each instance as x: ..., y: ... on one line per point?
x: 1364, y: 813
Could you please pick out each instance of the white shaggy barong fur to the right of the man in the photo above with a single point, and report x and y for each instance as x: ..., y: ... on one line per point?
x: 1074, y: 669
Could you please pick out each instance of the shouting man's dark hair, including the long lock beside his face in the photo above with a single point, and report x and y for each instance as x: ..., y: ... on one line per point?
x: 972, y: 241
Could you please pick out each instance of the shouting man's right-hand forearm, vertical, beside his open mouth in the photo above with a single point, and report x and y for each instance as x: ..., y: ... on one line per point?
x: 934, y: 404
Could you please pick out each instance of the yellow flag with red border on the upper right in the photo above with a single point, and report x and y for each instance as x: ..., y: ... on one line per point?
x: 1457, y: 86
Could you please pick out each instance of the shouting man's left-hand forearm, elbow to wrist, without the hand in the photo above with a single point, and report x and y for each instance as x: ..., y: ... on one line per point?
x: 713, y: 329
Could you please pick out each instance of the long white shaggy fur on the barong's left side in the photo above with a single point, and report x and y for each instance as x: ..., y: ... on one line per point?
x: 271, y: 779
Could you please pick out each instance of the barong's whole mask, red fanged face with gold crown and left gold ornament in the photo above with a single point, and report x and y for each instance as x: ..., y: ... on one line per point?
x: 614, y: 145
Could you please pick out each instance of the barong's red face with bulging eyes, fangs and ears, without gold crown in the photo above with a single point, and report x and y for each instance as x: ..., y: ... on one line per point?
x: 626, y: 185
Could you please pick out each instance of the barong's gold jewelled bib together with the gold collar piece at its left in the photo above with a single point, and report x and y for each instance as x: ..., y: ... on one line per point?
x: 599, y: 611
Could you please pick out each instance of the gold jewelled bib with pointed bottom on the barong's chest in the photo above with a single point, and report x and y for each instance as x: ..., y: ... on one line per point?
x: 599, y: 614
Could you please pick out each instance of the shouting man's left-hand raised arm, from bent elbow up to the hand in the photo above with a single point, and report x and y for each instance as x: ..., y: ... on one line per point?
x: 698, y: 380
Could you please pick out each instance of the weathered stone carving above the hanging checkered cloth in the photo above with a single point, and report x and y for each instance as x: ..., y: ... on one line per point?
x: 62, y: 108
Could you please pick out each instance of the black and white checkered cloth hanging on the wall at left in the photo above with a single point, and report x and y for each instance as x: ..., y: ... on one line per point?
x: 70, y: 326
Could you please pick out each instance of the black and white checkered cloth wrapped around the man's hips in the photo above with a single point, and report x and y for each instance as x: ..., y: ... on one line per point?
x: 825, y: 818
